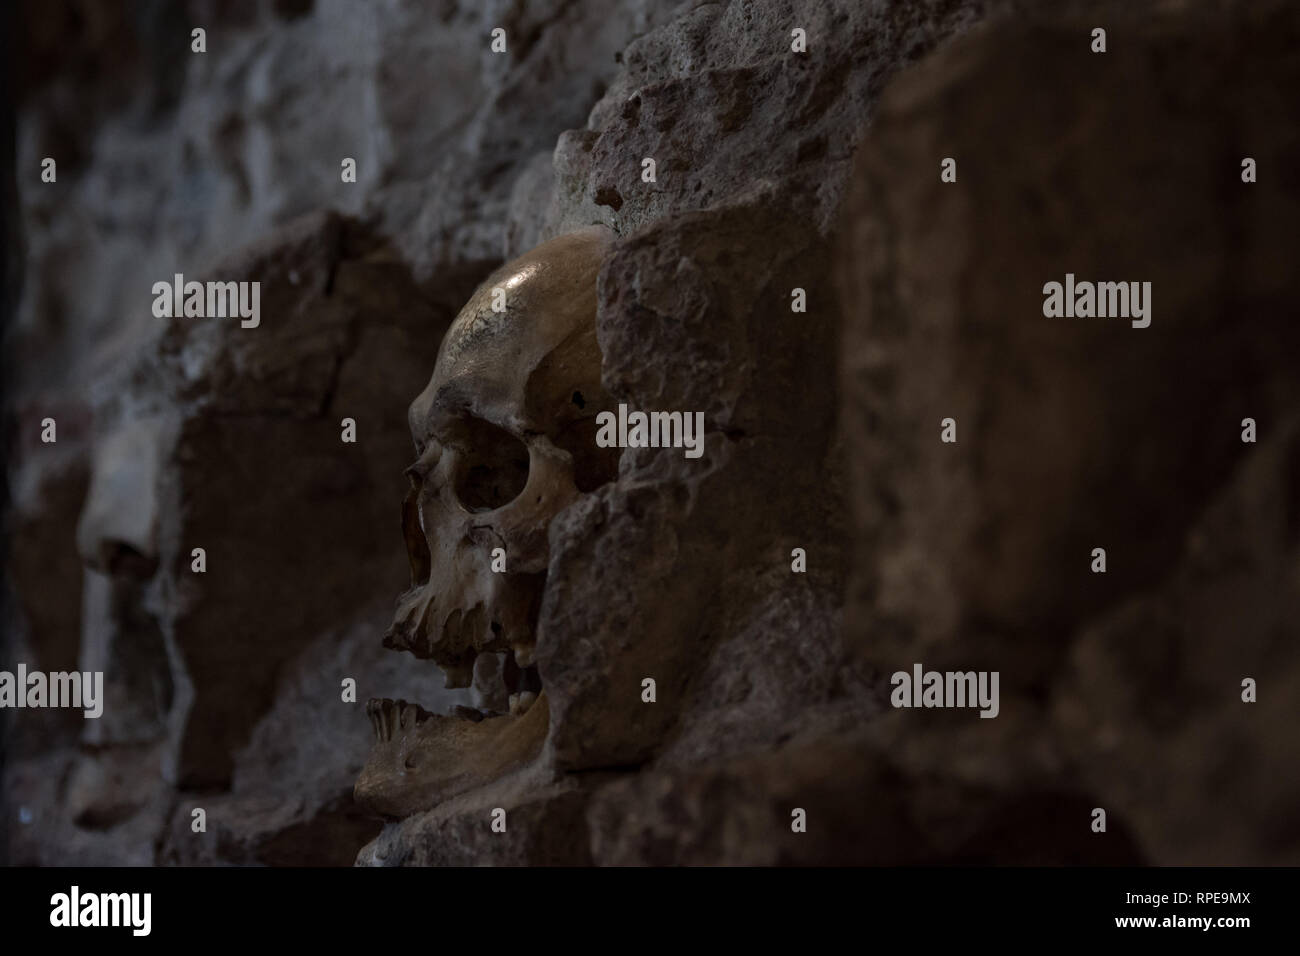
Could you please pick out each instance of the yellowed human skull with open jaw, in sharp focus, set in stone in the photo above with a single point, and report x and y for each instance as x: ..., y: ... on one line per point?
x: 505, y: 438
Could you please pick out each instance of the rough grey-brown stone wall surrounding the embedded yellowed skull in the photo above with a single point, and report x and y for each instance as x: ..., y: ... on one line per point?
x: 775, y: 171
